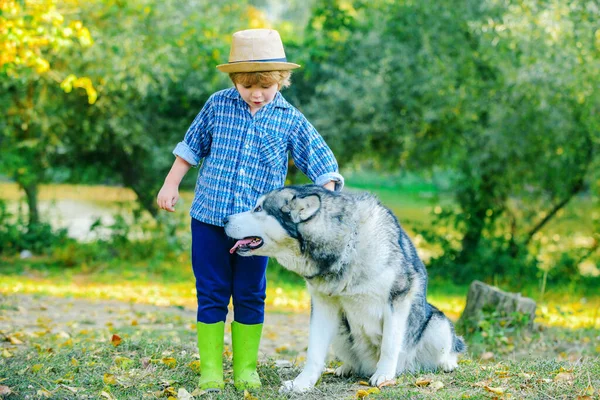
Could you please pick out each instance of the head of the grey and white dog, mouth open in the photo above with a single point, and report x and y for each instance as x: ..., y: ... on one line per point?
x: 275, y: 223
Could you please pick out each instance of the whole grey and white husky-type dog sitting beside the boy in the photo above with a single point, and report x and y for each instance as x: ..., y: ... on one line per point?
x: 367, y: 284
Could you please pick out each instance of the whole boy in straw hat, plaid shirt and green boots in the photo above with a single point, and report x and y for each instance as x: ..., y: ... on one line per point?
x: 243, y: 135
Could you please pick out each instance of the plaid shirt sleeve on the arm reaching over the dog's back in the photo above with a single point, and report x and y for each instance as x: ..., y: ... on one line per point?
x: 312, y: 155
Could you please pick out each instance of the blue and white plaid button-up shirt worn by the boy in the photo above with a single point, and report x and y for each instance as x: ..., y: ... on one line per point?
x: 245, y: 156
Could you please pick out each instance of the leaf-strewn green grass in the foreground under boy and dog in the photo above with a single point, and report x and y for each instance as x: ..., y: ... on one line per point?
x: 151, y: 363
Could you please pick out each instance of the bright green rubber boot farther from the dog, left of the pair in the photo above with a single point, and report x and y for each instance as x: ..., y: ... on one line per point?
x: 210, y: 346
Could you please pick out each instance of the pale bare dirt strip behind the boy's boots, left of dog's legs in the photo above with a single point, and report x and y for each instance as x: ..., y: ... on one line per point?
x: 285, y: 335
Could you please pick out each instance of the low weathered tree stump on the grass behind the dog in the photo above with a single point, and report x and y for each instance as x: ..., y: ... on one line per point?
x: 485, y: 302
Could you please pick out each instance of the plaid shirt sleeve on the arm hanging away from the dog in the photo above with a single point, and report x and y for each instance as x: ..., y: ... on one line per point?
x: 198, y: 138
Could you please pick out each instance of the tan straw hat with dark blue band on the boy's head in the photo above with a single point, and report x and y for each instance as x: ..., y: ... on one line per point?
x: 255, y: 50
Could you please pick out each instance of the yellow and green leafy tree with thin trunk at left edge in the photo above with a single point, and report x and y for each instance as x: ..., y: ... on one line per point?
x: 33, y: 35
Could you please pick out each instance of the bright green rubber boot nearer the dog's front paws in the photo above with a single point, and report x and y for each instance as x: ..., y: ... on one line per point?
x: 245, y: 340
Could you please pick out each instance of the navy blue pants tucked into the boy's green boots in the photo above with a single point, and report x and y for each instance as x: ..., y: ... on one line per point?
x: 220, y: 276
